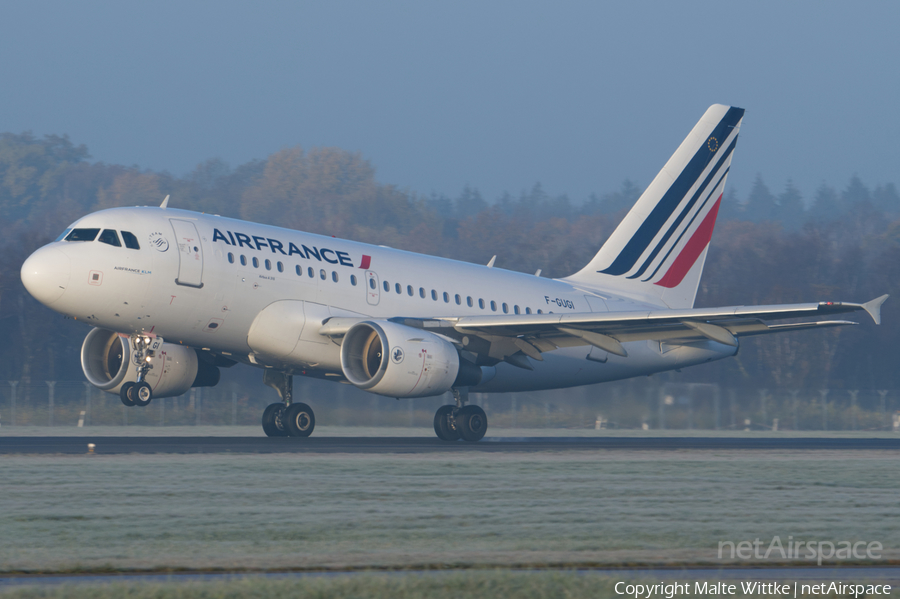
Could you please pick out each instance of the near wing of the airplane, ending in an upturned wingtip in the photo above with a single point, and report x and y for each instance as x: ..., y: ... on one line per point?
x: 503, y: 336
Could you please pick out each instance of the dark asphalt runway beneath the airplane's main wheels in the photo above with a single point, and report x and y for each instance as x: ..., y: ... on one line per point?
x: 410, y: 445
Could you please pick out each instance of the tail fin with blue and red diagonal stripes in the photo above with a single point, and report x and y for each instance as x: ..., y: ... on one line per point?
x: 658, y: 251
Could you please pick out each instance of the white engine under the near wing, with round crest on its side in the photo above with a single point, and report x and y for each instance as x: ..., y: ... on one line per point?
x: 400, y: 361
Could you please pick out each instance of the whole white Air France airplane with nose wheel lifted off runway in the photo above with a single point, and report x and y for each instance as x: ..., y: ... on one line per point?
x: 174, y: 295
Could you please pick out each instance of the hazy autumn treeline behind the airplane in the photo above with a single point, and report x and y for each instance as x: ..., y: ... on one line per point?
x: 770, y: 247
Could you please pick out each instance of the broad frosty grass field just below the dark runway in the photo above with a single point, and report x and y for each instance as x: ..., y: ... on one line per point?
x: 256, y: 512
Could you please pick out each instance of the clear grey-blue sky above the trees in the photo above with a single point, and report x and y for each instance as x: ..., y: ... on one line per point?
x: 578, y: 96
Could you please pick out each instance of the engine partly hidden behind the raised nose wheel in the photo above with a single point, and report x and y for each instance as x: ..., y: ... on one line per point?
x: 106, y: 362
